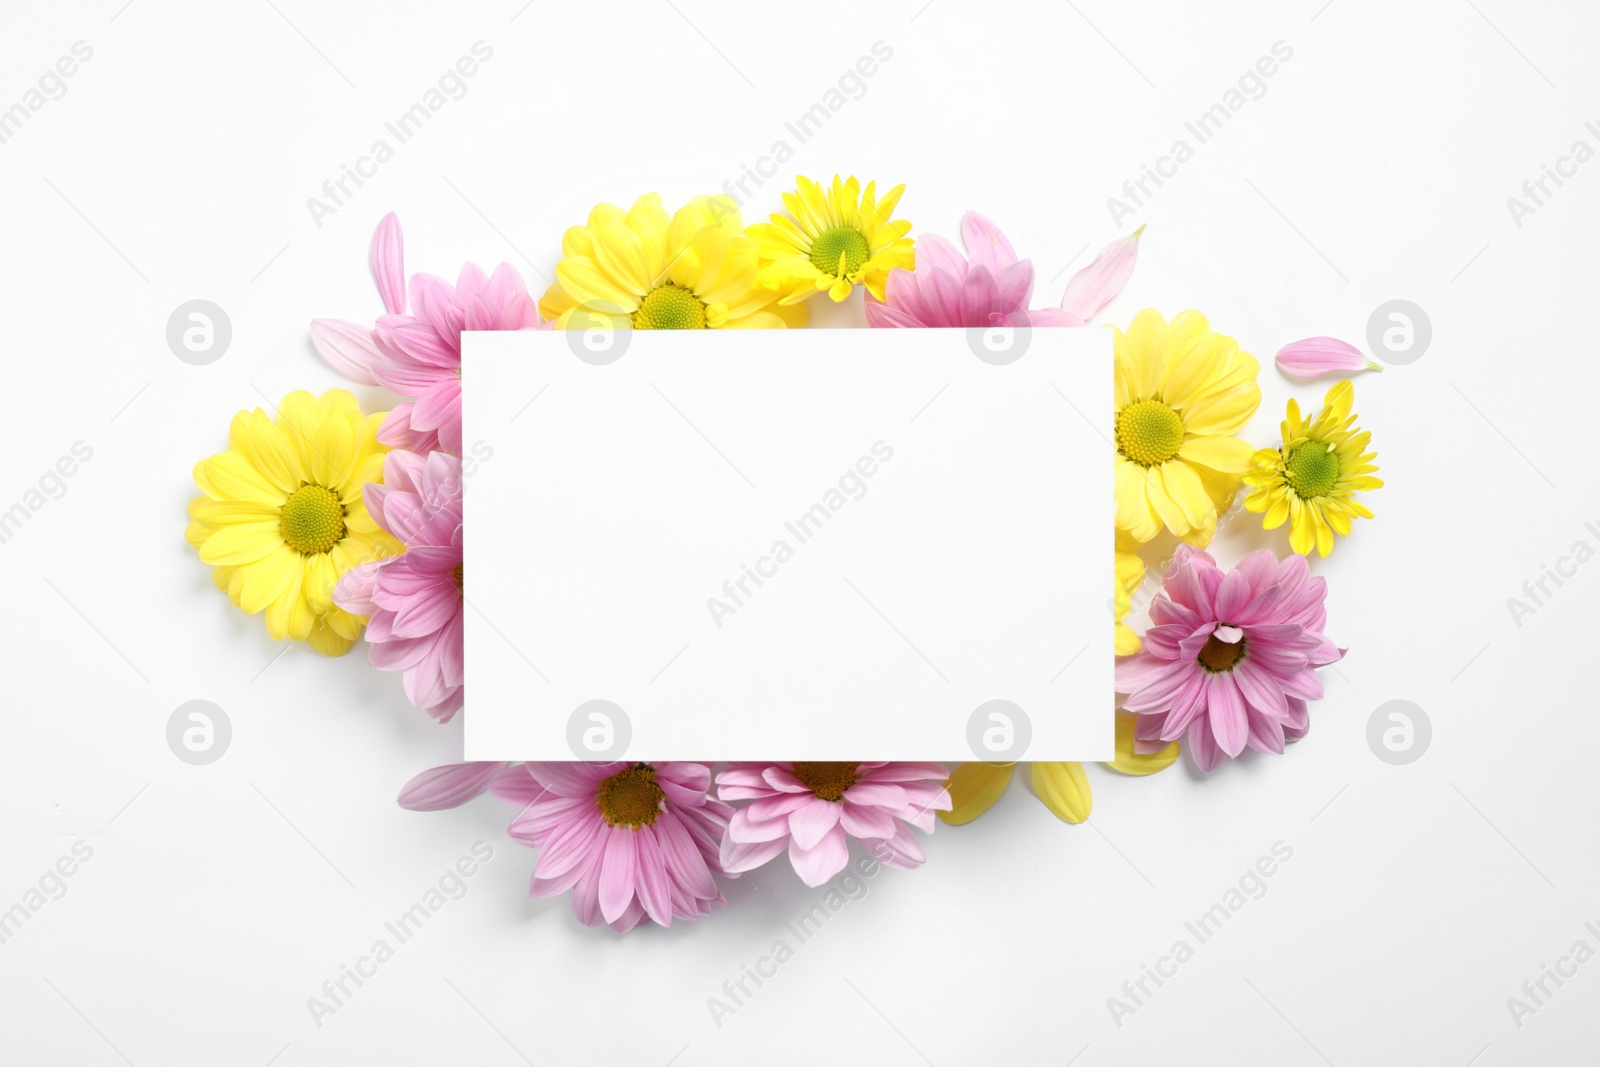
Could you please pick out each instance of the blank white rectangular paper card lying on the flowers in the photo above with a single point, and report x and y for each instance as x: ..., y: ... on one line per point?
x: 806, y: 545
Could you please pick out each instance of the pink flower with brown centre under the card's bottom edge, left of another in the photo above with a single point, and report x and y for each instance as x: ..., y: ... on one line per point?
x: 631, y: 841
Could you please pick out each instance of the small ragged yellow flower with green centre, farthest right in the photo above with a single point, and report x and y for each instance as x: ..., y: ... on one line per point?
x: 1310, y: 481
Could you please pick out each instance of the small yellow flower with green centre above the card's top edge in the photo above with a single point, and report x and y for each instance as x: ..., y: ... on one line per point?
x: 833, y: 239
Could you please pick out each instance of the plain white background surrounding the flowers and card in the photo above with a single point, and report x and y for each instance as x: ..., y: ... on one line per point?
x: 1377, y: 167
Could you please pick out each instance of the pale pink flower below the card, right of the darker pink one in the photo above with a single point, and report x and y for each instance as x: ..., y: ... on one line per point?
x: 814, y: 809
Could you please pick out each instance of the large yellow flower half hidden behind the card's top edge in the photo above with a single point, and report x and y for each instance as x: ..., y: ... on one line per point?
x: 692, y: 271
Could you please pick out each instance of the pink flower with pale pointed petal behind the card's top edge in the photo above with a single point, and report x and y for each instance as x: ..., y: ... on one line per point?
x: 994, y: 287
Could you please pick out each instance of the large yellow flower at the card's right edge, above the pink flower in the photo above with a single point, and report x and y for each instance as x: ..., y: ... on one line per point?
x: 1182, y: 396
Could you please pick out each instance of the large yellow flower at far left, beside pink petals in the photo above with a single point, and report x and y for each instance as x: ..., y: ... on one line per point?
x: 282, y: 516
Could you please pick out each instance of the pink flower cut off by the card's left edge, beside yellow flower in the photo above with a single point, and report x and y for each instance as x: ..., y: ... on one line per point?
x: 415, y: 597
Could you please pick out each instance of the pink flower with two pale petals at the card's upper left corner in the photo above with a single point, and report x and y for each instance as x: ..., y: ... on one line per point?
x: 420, y: 354
